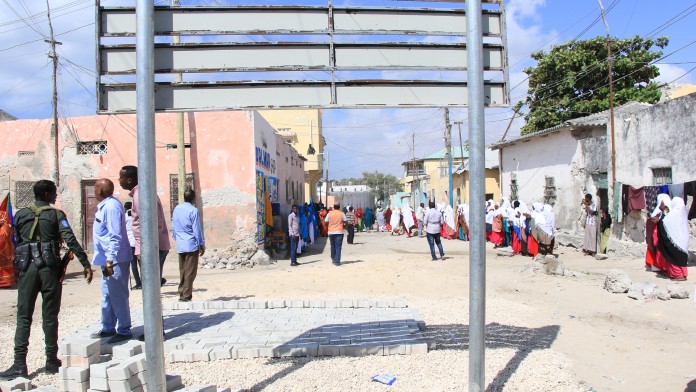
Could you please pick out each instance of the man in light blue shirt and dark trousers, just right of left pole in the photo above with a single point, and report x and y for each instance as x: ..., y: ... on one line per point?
x: 190, y: 244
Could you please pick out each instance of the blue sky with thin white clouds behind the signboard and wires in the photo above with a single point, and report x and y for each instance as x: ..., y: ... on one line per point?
x: 358, y: 140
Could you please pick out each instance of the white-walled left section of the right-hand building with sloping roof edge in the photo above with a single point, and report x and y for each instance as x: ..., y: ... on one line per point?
x: 559, y: 165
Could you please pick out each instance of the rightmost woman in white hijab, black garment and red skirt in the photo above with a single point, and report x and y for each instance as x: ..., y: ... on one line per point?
x: 673, y: 233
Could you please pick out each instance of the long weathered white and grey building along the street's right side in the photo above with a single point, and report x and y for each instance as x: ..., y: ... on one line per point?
x: 654, y: 145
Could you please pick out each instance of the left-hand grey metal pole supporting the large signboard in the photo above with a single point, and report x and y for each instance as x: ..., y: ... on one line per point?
x: 147, y: 193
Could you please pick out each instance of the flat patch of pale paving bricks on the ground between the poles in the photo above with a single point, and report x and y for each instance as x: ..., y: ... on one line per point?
x: 291, y: 328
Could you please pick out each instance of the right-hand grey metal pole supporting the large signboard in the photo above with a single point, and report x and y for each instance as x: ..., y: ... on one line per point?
x: 477, y: 195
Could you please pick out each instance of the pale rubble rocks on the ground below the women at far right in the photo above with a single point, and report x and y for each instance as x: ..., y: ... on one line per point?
x: 618, y: 282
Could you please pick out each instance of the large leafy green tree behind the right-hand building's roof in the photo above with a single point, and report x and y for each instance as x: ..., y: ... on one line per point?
x: 572, y: 79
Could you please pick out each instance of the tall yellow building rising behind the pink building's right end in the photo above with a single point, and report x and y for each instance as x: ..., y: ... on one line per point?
x: 302, y: 128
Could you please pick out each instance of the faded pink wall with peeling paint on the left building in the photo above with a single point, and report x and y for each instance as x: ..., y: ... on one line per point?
x: 221, y: 157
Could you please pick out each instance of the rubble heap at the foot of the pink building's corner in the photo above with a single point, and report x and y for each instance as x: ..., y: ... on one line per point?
x: 241, y: 254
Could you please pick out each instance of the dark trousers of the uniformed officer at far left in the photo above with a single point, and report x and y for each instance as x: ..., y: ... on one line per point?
x: 32, y: 282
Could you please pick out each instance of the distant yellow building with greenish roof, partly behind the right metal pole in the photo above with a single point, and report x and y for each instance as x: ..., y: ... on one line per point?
x: 430, y: 175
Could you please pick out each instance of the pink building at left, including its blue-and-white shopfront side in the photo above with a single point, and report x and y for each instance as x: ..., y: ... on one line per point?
x: 234, y: 158
